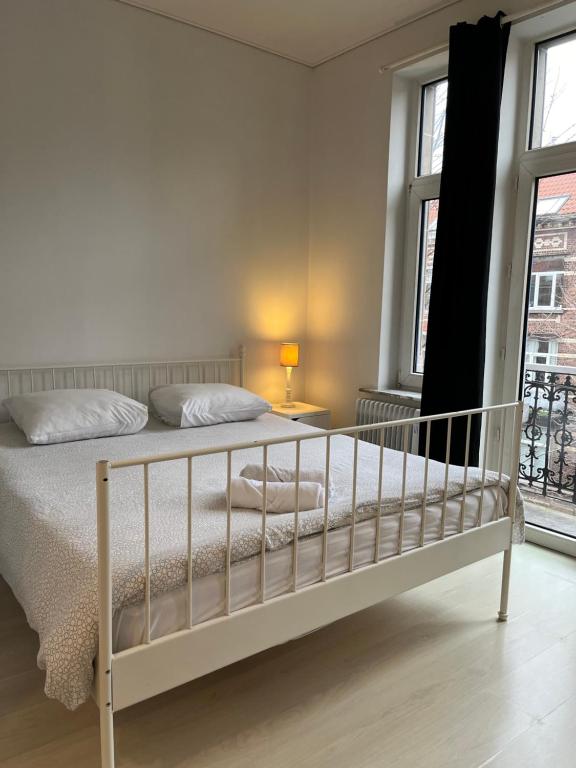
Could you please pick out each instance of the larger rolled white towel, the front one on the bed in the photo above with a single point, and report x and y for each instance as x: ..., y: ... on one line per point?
x: 280, y: 497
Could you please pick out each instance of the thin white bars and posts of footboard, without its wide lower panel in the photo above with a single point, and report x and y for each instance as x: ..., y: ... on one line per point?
x: 498, y: 416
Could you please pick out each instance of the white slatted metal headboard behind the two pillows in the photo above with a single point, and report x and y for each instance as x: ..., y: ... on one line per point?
x: 134, y: 380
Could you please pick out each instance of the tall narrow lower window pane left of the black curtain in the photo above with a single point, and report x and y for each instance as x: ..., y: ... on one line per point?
x: 426, y: 259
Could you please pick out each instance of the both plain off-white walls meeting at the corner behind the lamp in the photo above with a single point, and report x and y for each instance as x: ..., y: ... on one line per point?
x: 154, y: 184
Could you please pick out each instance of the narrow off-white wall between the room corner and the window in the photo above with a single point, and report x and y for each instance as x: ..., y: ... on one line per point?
x: 351, y: 257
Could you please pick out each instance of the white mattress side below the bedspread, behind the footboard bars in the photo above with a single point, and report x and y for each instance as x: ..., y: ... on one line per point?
x: 169, y: 611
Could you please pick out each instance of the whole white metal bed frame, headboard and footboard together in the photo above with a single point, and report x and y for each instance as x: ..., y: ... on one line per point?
x: 157, y: 665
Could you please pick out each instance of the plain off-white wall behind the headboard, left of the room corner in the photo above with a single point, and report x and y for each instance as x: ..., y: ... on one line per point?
x: 153, y: 190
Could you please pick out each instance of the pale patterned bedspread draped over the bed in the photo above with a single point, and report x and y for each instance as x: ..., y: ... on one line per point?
x: 48, y: 552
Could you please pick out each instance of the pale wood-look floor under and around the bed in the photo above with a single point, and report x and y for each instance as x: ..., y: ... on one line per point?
x: 427, y: 679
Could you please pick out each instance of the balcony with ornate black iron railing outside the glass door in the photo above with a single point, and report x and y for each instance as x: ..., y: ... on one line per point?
x: 547, y: 474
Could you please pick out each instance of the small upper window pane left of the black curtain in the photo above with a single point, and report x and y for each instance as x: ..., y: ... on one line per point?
x: 432, y: 124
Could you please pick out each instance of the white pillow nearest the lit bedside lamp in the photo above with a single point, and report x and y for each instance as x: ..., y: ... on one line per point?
x: 200, y: 405
